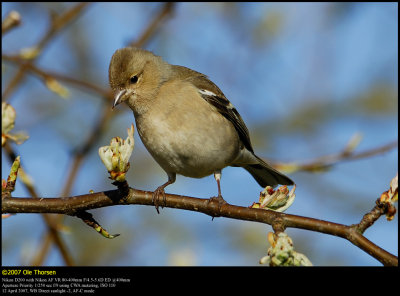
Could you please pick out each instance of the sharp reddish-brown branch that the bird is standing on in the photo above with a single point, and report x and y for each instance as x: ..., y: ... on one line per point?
x: 75, y: 205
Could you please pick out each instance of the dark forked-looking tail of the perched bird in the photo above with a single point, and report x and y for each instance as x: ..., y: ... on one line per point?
x: 265, y: 175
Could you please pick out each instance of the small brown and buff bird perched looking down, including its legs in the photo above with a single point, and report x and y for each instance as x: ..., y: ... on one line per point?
x: 185, y: 121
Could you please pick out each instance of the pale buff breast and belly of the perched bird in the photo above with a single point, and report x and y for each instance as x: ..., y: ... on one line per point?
x: 187, y: 142
